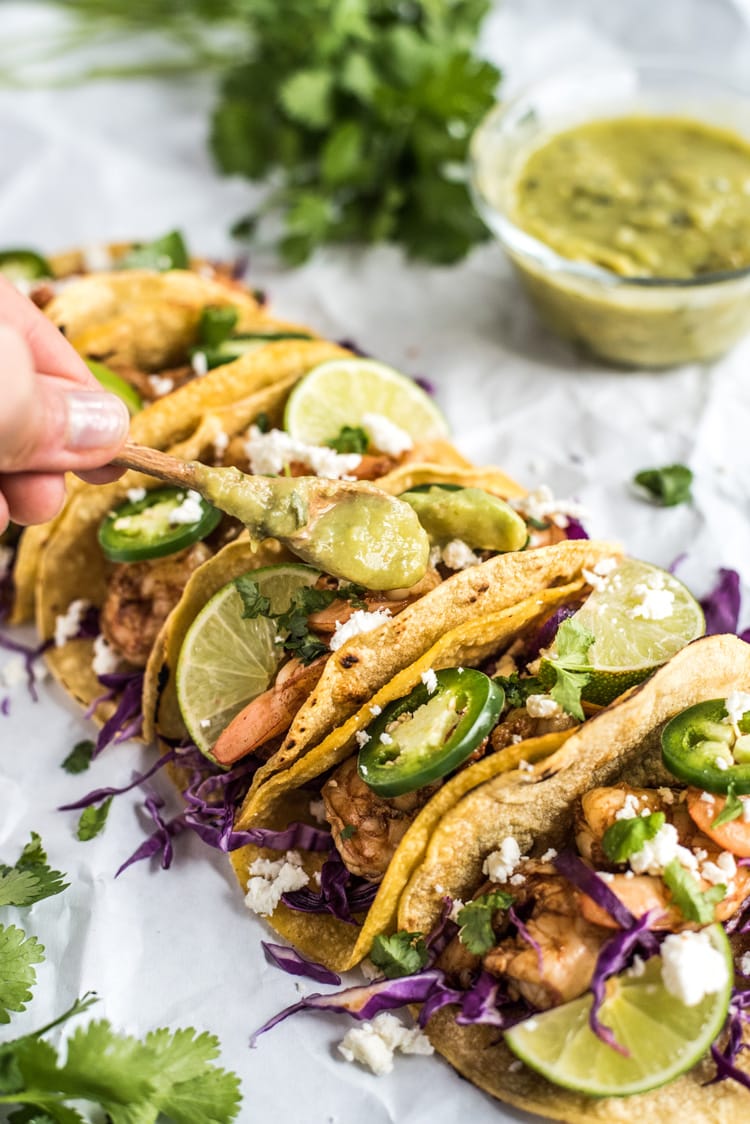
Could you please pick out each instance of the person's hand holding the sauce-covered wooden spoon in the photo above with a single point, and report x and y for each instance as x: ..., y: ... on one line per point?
x: 55, y: 416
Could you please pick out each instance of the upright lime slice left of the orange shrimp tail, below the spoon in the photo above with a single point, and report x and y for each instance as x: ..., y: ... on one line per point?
x: 227, y: 660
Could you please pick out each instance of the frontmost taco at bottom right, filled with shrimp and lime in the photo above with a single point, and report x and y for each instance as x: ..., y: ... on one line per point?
x: 601, y: 903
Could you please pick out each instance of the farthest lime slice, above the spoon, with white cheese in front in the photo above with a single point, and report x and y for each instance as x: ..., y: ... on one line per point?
x: 342, y: 392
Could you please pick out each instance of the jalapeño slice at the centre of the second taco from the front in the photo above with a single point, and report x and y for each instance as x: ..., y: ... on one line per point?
x: 422, y: 738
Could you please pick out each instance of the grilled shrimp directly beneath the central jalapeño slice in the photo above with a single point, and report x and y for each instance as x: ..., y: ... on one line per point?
x: 379, y: 824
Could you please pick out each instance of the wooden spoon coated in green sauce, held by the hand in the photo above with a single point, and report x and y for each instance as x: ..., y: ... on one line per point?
x: 348, y: 529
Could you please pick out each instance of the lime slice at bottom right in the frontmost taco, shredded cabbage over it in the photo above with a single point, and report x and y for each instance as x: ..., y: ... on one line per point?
x: 663, y: 1036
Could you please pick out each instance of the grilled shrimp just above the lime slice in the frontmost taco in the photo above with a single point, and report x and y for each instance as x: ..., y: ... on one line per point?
x: 563, y: 965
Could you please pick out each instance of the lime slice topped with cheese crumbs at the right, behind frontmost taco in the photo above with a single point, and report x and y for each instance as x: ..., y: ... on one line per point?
x: 640, y: 618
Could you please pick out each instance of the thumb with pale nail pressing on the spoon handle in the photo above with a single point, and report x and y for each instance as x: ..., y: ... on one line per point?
x: 46, y: 424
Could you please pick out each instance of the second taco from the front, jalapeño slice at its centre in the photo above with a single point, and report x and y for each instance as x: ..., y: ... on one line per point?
x: 467, y: 711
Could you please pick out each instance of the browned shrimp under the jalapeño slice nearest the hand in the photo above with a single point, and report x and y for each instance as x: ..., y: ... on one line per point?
x: 141, y: 597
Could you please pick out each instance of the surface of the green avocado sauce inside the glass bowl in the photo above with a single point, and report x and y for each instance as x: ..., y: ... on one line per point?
x: 649, y: 197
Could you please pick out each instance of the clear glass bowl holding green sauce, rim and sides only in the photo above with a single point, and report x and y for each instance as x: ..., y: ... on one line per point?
x: 634, y: 322
